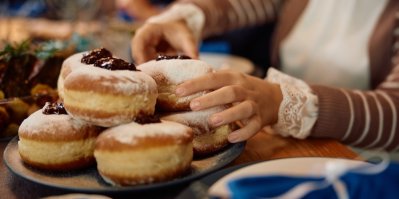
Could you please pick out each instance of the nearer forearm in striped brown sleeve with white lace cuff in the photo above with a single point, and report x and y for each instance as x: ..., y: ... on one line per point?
x: 365, y: 119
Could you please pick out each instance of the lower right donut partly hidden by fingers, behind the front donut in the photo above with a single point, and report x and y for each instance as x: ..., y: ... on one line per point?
x: 207, y: 140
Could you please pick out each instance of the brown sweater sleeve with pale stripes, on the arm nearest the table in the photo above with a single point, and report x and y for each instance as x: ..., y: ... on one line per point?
x: 367, y: 119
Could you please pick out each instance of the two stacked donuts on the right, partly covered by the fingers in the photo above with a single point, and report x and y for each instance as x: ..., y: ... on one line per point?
x: 170, y: 71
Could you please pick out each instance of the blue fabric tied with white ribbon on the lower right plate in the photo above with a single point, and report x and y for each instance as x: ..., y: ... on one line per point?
x: 384, y: 185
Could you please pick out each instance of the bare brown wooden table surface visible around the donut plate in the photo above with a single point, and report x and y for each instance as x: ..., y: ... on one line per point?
x: 261, y: 147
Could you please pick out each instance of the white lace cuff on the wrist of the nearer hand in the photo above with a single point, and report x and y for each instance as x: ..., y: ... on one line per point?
x: 298, y: 110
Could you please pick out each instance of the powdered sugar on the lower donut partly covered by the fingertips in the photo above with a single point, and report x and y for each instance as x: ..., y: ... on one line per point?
x: 194, y: 118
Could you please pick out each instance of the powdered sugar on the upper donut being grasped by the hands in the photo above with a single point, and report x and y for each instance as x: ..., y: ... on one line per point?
x: 176, y: 70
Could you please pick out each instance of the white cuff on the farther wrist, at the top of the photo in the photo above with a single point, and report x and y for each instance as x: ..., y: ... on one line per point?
x: 190, y: 13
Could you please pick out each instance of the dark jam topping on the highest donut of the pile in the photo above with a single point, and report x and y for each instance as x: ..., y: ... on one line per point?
x: 102, y: 58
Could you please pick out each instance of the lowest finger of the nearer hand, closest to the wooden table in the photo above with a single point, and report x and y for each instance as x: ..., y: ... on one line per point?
x: 249, y: 130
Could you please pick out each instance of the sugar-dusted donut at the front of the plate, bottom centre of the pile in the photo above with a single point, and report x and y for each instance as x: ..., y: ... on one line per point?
x: 135, y: 153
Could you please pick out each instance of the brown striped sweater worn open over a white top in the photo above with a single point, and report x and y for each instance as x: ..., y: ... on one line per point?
x: 343, y: 114
